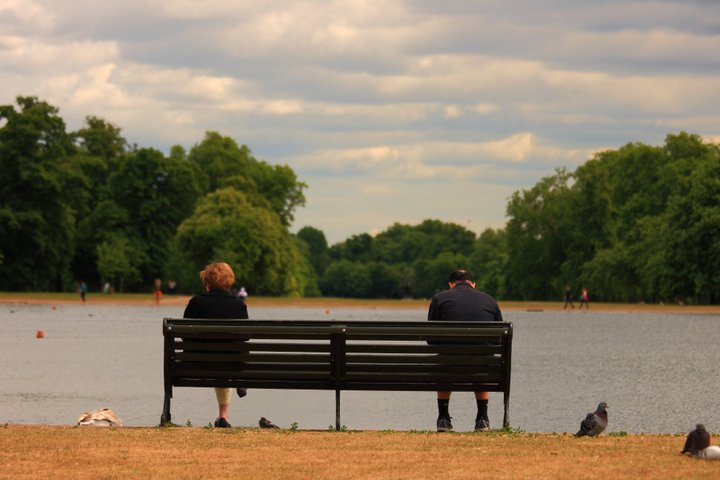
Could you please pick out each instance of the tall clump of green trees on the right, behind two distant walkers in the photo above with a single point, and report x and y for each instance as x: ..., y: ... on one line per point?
x: 645, y: 226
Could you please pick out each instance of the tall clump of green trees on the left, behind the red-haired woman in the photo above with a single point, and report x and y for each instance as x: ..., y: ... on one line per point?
x: 87, y: 206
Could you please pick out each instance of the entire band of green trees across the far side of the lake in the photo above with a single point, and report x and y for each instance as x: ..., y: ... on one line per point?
x: 640, y: 223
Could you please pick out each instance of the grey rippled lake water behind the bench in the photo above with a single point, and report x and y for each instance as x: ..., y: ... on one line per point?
x: 656, y: 371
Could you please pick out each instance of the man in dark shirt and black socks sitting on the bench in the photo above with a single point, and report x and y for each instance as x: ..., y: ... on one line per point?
x: 461, y: 302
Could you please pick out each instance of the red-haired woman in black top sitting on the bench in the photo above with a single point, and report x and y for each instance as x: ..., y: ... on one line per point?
x: 218, y: 302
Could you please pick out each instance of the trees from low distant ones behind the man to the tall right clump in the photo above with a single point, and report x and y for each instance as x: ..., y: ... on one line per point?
x: 636, y: 224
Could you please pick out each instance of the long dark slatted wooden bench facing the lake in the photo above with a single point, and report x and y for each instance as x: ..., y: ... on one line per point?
x: 337, y: 355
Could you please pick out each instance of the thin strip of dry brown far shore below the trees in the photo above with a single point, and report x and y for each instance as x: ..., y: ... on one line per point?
x: 139, y: 299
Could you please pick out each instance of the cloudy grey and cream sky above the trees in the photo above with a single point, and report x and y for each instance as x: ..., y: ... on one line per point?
x: 390, y: 111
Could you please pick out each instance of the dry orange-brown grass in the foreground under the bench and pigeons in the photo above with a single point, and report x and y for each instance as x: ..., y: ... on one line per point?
x: 196, y: 453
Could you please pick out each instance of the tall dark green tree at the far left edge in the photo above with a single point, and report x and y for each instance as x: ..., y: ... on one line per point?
x: 41, y: 188
